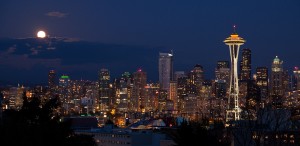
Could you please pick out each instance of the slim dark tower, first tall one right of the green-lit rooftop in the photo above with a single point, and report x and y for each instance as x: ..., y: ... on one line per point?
x: 104, y: 89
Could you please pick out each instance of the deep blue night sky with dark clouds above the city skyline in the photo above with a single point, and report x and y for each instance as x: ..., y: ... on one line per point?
x: 126, y: 35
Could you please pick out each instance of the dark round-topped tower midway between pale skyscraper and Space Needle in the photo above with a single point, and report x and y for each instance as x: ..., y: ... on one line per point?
x: 196, y: 78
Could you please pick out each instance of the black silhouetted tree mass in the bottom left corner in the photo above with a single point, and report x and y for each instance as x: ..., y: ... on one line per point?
x: 37, y: 124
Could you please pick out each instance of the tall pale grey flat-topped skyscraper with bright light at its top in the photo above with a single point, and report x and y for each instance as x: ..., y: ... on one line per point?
x: 165, y: 69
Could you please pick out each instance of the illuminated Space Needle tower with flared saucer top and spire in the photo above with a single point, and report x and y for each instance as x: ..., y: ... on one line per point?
x: 234, y: 42
